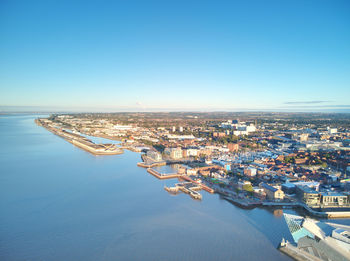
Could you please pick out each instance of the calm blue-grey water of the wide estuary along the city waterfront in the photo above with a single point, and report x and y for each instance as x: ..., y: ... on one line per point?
x: 58, y: 202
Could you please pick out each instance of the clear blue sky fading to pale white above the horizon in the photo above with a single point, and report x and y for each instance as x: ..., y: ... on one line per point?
x: 175, y: 55
